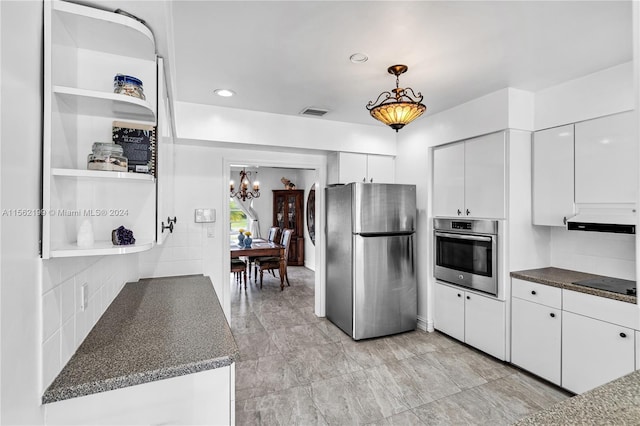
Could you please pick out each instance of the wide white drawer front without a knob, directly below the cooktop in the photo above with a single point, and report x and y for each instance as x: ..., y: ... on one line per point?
x: 609, y: 310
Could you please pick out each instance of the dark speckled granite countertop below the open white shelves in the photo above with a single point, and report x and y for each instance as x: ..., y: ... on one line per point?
x: 155, y: 329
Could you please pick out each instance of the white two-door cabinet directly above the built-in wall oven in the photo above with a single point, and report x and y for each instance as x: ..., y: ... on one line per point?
x: 469, y: 178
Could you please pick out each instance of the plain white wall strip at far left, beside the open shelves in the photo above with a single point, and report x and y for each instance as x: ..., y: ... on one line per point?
x: 20, y: 182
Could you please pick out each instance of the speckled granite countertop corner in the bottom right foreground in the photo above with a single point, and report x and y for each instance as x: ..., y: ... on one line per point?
x: 614, y: 403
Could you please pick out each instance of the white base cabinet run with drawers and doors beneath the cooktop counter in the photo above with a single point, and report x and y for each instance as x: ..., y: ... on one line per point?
x: 575, y: 340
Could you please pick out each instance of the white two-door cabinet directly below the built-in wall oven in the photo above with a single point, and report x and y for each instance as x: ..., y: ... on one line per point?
x: 474, y: 319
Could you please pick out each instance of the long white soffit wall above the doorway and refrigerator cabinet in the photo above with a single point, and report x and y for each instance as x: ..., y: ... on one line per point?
x: 210, y: 123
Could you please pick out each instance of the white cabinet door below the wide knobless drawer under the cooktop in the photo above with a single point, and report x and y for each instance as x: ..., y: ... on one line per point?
x: 594, y: 352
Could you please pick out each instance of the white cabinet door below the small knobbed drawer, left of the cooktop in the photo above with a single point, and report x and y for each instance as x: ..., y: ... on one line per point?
x: 536, y: 332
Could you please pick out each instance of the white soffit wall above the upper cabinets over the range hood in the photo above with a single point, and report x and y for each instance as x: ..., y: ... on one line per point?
x: 594, y: 95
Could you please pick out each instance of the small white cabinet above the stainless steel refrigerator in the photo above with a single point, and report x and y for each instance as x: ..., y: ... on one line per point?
x: 347, y: 167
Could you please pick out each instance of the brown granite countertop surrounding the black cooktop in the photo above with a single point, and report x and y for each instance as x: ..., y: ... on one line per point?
x: 564, y: 278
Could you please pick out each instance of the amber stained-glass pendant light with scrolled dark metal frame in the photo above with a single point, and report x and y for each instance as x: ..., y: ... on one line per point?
x: 399, y: 106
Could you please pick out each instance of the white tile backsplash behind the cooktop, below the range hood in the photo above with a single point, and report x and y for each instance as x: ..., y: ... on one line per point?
x: 599, y: 253
